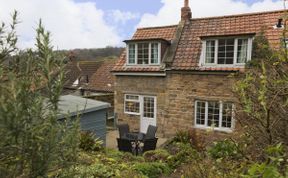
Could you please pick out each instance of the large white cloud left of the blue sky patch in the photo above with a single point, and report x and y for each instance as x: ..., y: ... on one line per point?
x: 72, y: 25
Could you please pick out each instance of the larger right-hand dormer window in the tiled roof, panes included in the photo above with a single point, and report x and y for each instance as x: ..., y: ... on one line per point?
x: 226, y: 51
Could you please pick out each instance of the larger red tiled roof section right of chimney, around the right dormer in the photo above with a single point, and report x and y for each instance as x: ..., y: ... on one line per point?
x: 189, y: 48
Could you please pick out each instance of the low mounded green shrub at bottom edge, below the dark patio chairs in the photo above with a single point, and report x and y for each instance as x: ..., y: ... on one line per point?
x: 152, y: 169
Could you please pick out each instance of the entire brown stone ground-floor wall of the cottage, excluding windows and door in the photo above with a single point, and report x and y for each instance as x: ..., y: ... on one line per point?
x: 176, y: 94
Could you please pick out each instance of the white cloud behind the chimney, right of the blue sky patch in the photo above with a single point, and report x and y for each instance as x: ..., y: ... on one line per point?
x: 171, y: 10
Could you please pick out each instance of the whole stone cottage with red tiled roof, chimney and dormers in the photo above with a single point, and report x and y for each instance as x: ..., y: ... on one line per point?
x: 178, y: 77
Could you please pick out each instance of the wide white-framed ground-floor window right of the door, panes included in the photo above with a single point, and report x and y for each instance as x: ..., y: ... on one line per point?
x: 214, y: 114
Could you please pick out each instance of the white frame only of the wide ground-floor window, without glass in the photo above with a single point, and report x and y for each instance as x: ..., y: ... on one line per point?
x: 220, y: 128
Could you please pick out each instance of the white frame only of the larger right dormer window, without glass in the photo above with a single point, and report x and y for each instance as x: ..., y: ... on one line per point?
x: 215, y: 64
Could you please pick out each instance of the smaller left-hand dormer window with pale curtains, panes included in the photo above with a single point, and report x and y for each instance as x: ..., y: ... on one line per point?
x: 143, y: 53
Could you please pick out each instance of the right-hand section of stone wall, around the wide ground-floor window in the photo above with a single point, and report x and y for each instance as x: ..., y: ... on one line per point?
x: 183, y: 90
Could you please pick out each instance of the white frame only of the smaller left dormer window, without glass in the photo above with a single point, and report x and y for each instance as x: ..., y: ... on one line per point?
x: 149, y: 53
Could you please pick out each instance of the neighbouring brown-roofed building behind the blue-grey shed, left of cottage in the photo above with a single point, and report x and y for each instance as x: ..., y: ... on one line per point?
x: 91, y: 79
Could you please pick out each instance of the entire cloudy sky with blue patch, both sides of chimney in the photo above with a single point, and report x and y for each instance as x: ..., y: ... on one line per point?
x: 99, y: 23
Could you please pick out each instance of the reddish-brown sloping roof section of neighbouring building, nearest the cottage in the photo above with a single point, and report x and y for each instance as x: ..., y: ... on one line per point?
x: 102, y: 80
